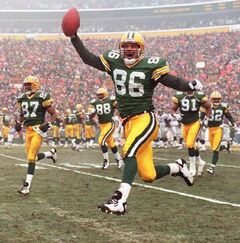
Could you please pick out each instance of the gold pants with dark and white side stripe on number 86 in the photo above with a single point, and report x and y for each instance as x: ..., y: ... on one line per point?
x: 139, y: 132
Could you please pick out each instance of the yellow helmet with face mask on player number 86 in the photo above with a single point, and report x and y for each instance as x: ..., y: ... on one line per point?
x: 132, y: 48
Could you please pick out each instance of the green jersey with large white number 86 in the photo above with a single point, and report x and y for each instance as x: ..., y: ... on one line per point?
x: 134, y: 85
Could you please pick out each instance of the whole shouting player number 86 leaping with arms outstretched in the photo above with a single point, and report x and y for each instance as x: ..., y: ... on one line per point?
x: 135, y: 77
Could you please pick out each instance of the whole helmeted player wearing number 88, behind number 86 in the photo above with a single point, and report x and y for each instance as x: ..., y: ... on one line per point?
x: 104, y: 108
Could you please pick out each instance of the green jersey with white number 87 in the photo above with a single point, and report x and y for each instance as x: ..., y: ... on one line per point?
x: 34, y: 107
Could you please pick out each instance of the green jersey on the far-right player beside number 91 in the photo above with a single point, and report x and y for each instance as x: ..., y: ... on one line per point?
x: 217, y: 114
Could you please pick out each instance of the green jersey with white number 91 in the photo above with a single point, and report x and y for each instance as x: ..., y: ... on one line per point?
x: 189, y: 105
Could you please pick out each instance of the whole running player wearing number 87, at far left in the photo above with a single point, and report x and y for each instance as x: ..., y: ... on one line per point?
x: 33, y: 104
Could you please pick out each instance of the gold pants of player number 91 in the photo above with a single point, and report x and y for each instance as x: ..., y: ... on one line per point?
x: 190, y: 133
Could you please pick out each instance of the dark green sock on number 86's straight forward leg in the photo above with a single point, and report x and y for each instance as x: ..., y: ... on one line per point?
x: 130, y: 170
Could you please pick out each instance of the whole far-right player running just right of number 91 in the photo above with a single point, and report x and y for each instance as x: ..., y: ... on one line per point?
x: 215, y: 130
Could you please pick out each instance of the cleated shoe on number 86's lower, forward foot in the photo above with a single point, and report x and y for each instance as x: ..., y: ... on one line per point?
x: 114, y: 205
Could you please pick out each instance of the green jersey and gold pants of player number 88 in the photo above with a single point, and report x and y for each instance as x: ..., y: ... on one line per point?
x: 105, y: 112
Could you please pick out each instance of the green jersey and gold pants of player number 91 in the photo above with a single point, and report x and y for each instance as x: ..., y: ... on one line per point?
x: 189, y: 106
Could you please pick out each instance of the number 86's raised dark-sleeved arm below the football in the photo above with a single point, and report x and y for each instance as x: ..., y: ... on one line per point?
x: 87, y: 57
